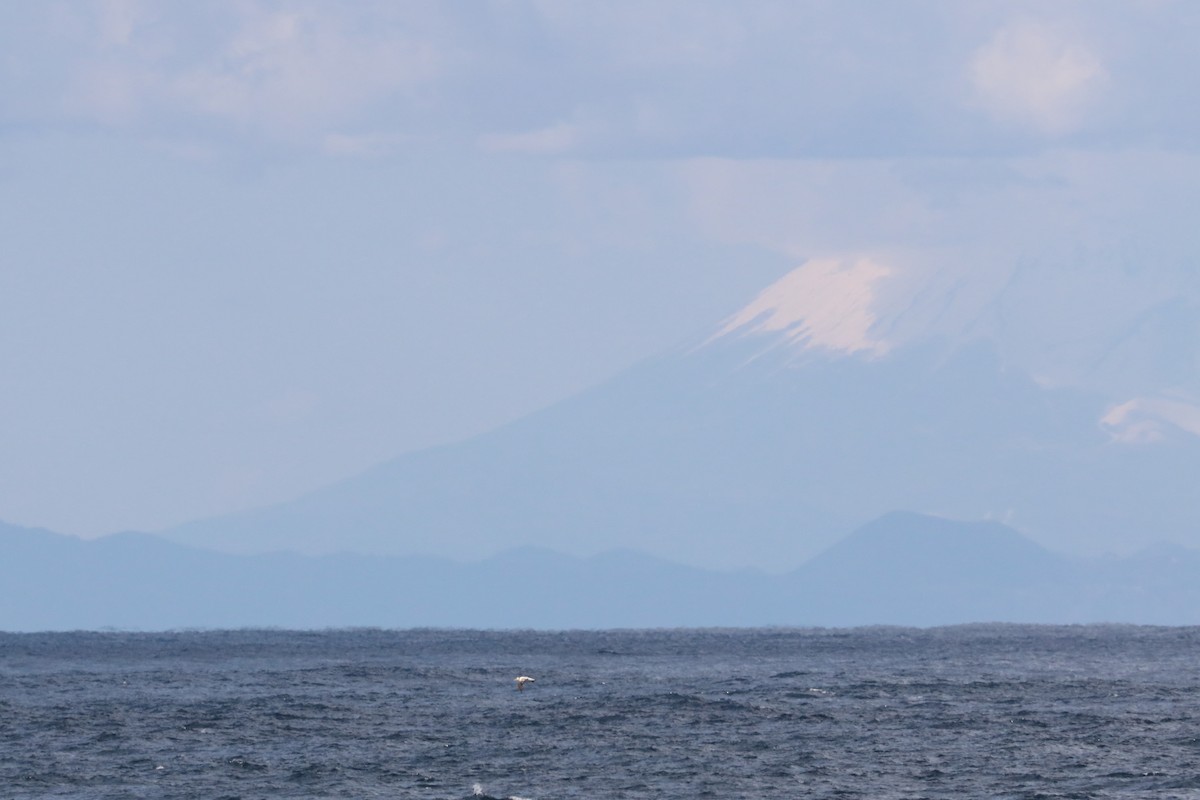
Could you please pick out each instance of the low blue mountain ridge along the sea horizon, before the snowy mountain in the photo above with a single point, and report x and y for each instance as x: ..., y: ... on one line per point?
x: 902, y: 569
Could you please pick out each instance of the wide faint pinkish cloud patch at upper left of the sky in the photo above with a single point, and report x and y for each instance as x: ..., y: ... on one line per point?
x: 285, y: 71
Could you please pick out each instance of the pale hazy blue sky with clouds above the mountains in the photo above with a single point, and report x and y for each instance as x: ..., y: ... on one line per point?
x: 250, y: 248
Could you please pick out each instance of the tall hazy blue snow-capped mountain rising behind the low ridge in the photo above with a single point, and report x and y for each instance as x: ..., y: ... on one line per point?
x: 761, y: 444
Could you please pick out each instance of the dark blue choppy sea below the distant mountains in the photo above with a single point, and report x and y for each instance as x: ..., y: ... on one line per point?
x: 989, y: 712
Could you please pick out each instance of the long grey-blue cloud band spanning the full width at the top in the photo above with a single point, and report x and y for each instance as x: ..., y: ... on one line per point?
x: 673, y: 80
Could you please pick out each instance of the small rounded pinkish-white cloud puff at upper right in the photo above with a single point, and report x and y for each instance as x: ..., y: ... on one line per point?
x: 1035, y: 77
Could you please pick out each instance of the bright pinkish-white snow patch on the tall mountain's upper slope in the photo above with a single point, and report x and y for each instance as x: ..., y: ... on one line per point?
x: 824, y: 305
